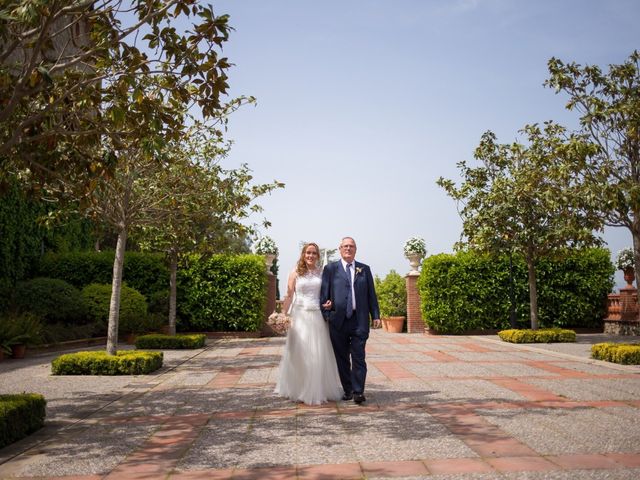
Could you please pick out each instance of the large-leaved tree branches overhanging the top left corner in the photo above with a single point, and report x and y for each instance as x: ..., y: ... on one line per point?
x: 70, y: 72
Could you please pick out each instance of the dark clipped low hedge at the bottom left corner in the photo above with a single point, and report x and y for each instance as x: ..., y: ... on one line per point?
x: 20, y: 415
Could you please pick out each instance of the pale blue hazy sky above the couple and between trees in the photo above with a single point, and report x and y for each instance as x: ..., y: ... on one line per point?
x: 363, y: 105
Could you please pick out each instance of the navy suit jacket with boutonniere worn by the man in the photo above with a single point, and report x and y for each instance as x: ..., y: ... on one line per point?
x: 335, y: 285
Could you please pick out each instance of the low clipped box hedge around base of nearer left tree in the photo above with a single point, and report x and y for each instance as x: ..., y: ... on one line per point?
x: 124, y: 362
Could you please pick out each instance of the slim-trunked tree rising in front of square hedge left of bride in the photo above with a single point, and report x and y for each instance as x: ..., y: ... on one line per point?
x: 202, y: 206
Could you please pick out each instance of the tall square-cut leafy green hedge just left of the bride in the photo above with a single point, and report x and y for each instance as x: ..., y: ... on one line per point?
x: 222, y: 293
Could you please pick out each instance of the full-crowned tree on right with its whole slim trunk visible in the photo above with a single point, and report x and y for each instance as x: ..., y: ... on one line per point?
x: 527, y: 198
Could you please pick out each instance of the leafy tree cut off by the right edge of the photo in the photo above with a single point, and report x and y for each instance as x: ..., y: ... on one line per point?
x: 609, y: 104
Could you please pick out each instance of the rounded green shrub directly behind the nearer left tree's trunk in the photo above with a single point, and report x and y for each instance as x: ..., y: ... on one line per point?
x: 133, y: 306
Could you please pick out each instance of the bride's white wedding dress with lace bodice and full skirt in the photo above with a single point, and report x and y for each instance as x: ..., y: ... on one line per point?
x: 308, y: 371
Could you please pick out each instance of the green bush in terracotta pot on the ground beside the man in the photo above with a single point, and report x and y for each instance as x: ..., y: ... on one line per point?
x: 392, y: 299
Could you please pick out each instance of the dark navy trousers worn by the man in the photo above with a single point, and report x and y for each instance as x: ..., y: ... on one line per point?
x: 348, y: 346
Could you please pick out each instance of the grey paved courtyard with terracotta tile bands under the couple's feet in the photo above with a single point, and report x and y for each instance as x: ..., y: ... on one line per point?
x: 439, y: 407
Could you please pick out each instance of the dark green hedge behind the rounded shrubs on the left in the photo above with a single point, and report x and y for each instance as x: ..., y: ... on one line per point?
x: 146, y: 272
